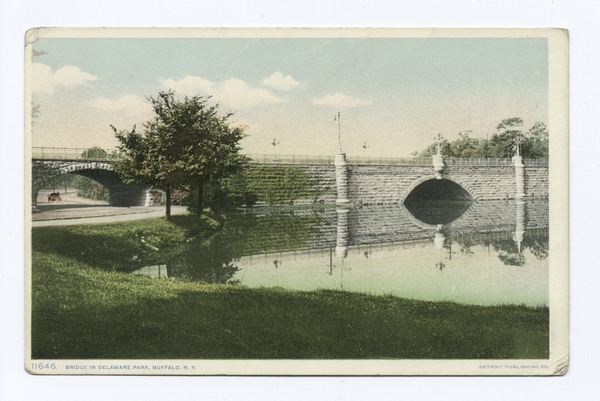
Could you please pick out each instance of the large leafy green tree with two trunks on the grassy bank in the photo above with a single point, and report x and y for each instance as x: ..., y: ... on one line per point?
x: 187, y: 144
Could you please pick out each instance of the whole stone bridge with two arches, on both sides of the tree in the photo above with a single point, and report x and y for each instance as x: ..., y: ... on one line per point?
x: 338, y: 180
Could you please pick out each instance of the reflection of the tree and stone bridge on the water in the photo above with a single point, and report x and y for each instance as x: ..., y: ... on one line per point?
x: 216, y: 259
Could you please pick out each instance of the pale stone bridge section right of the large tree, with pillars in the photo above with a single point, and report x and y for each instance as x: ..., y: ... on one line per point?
x: 396, y: 181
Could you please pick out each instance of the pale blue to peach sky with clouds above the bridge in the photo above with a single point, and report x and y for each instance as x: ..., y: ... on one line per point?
x: 394, y: 94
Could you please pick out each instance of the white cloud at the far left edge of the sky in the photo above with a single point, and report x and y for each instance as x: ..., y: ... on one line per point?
x: 44, y: 80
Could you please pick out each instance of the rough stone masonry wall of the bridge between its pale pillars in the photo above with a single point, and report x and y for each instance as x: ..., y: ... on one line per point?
x: 367, y: 184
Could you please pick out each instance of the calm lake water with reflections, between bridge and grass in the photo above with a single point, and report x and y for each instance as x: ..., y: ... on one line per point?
x: 486, y: 253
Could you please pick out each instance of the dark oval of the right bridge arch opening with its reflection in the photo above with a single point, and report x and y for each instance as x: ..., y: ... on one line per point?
x: 438, y: 201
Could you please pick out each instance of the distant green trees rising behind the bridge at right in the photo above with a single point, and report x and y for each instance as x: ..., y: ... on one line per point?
x: 534, y: 142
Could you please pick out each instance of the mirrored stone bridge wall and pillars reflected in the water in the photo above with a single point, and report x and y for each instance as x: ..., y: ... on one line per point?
x: 343, y: 227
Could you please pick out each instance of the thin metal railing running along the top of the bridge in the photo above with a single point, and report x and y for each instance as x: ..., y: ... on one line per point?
x: 113, y: 154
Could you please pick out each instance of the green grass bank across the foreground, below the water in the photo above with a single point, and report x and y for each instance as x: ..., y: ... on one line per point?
x: 82, y: 310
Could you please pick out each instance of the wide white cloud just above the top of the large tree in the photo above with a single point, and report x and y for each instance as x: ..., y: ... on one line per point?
x: 232, y: 93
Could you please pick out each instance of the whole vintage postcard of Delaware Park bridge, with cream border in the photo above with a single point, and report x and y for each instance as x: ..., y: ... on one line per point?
x: 297, y: 201
